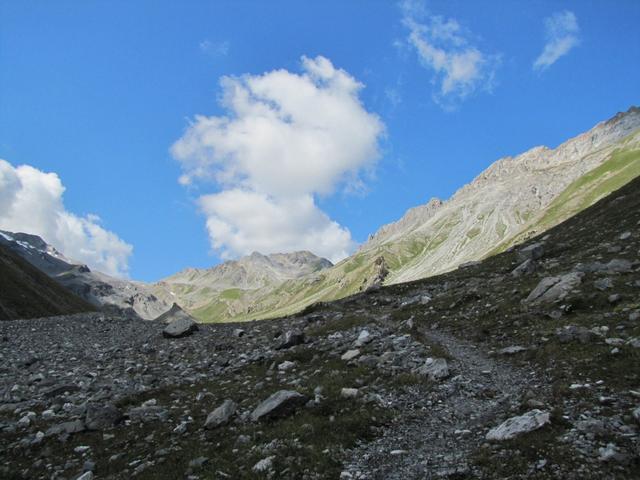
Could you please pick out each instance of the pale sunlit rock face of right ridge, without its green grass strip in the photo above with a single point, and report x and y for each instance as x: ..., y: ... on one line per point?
x: 501, y: 202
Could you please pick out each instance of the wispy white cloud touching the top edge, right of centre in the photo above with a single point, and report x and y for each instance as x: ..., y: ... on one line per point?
x: 444, y: 47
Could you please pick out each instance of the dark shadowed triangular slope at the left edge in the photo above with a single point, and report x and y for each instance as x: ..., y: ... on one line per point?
x: 26, y: 292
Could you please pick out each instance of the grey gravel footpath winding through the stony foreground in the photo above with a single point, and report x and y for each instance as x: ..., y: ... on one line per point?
x: 441, y: 426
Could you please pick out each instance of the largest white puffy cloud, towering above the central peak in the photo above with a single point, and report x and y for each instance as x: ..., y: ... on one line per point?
x: 285, y: 139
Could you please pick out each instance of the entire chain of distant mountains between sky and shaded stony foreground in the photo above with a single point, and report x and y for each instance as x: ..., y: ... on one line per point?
x: 513, y: 199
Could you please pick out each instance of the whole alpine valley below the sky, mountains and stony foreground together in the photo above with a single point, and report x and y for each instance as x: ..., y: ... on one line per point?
x: 494, y: 335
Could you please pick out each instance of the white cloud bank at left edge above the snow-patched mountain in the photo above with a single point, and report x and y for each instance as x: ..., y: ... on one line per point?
x: 31, y: 201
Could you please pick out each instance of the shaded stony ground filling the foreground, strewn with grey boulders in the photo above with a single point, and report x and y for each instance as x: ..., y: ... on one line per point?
x: 526, y: 365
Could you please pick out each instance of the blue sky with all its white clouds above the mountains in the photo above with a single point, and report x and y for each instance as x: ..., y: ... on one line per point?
x: 428, y: 94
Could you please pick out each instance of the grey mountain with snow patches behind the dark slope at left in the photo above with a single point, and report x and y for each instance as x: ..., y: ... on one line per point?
x: 94, y: 287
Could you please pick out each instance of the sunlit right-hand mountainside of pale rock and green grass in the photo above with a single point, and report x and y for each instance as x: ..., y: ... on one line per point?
x: 510, y: 200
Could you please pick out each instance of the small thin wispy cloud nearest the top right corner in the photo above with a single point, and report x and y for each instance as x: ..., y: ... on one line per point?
x: 562, y: 34
